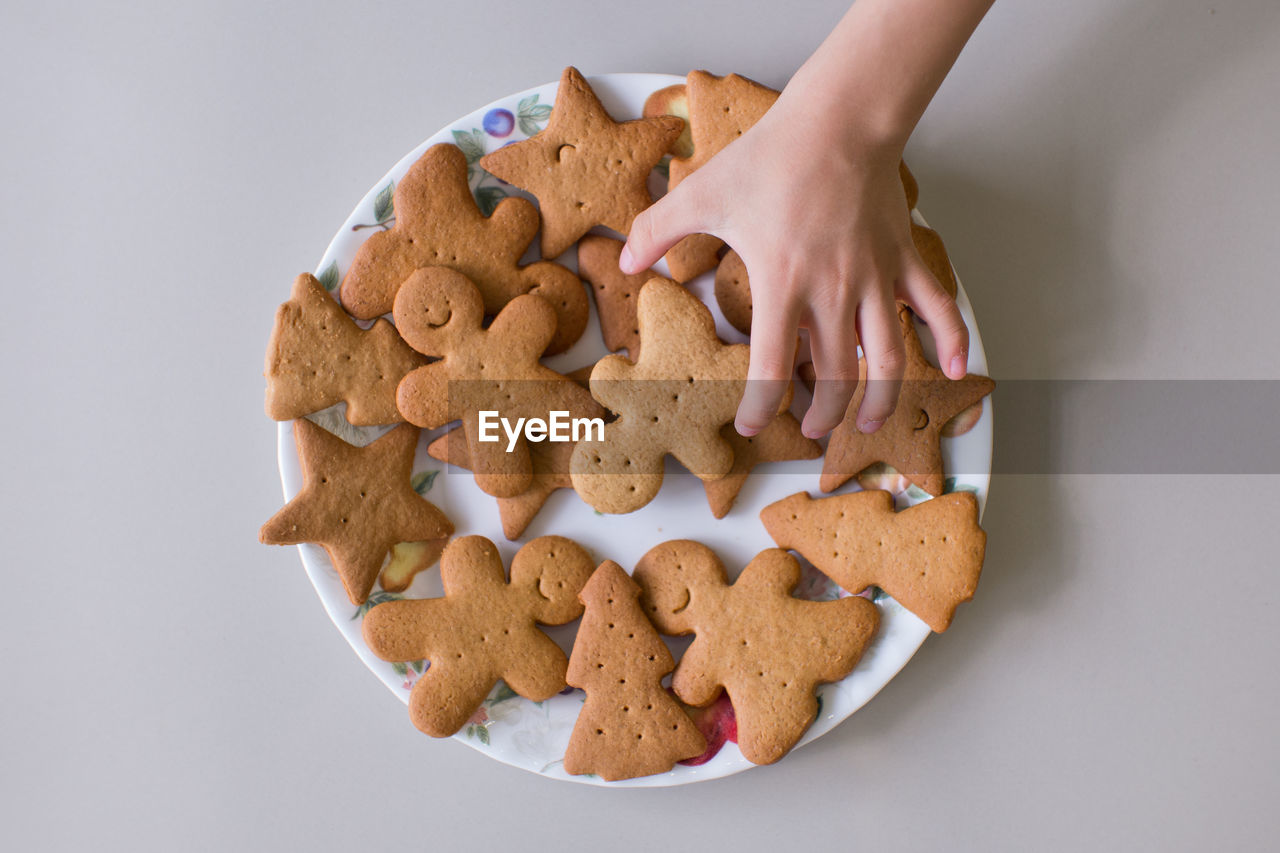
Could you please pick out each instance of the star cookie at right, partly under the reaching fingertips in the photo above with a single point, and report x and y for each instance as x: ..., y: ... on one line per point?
x: 911, y: 440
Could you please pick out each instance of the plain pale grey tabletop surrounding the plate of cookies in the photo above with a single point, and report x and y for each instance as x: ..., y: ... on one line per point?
x: 1105, y: 176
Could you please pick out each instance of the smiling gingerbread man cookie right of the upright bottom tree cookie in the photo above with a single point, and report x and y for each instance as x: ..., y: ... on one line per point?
x: 766, y: 649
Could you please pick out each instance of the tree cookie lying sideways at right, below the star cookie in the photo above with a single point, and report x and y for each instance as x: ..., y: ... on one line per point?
x: 929, y: 558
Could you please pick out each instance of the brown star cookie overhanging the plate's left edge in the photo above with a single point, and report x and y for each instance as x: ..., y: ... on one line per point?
x: 358, y: 503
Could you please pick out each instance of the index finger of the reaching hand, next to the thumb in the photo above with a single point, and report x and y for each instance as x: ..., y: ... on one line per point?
x: 774, y: 350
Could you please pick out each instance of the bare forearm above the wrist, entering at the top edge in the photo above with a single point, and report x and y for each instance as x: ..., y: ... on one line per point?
x: 881, y: 67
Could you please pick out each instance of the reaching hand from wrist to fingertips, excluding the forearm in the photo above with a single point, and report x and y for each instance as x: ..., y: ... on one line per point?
x: 824, y: 229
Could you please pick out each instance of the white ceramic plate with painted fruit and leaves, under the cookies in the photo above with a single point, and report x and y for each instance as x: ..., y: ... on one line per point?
x: 534, y: 736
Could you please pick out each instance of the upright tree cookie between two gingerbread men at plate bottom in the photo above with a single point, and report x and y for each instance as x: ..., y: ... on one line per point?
x: 629, y: 726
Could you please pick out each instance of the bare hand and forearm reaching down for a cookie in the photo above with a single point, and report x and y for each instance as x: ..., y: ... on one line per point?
x: 826, y: 240
